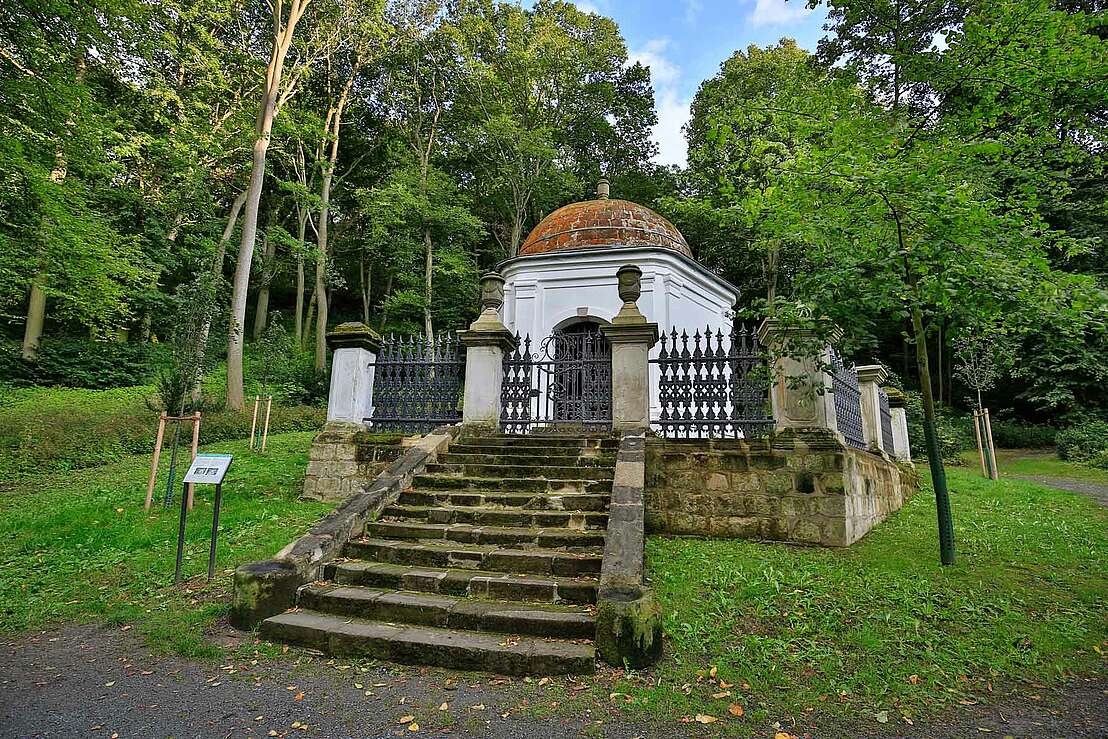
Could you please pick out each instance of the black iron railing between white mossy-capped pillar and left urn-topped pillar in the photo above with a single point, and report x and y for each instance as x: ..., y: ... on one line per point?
x: 417, y: 384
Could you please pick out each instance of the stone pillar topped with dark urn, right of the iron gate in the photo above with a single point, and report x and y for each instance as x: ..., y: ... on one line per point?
x: 631, y: 337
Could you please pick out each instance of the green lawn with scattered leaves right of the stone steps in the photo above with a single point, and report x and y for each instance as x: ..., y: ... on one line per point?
x: 883, y: 627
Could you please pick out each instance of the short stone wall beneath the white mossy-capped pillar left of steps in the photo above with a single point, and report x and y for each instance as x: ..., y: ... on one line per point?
x: 343, y: 461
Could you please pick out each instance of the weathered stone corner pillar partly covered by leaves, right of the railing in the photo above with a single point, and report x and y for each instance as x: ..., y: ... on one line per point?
x: 801, y: 391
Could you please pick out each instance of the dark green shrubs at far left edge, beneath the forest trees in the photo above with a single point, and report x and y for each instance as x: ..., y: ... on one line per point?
x: 80, y: 364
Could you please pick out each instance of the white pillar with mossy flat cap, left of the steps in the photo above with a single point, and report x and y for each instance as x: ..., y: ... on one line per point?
x: 354, y: 348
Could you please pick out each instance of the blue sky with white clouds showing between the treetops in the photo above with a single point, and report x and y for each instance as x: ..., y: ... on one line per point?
x: 685, y: 42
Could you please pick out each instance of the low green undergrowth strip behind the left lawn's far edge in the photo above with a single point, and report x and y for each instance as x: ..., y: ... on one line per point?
x: 58, y: 429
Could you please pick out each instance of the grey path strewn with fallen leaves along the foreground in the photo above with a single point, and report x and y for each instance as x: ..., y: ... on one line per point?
x: 100, y: 682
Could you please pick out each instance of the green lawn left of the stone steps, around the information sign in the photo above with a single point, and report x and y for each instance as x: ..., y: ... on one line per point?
x: 78, y: 546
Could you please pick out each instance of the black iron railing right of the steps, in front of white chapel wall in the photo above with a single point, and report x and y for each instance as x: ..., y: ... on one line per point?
x: 712, y: 386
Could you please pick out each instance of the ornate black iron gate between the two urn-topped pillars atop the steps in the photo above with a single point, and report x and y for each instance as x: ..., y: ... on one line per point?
x: 566, y: 384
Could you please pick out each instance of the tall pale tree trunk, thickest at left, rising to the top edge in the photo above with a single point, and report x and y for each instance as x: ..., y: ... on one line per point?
x: 283, y: 39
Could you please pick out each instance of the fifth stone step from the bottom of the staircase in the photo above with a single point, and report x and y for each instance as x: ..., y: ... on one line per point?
x: 501, y: 536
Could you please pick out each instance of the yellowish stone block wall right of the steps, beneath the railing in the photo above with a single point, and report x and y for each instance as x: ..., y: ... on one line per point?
x: 801, y: 487
